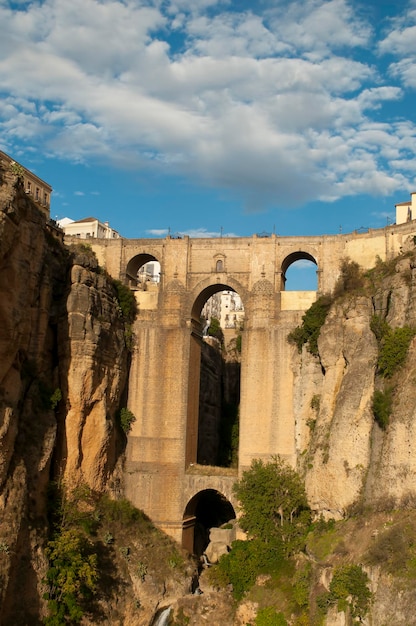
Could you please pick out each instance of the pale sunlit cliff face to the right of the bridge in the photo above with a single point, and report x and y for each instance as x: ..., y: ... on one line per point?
x: 345, y: 455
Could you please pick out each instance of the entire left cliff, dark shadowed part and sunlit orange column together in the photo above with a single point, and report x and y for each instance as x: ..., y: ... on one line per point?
x: 63, y: 369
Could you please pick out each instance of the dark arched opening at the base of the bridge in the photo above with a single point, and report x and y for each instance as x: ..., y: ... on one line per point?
x: 206, y: 510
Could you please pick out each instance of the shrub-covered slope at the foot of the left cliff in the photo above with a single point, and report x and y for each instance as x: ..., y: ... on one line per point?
x: 97, y: 547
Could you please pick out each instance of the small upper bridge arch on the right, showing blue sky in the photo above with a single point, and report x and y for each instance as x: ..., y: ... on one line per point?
x: 299, y: 272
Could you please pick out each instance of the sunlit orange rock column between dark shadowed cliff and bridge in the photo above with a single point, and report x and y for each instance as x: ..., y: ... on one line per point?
x: 93, y: 369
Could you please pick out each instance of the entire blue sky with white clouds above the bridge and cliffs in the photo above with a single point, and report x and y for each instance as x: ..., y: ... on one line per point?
x: 214, y: 116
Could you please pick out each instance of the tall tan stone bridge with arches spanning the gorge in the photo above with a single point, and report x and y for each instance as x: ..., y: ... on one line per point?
x: 162, y: 476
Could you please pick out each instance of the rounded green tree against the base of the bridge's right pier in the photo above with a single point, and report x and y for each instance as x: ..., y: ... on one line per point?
x: 274, y: 504
